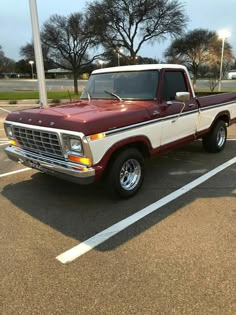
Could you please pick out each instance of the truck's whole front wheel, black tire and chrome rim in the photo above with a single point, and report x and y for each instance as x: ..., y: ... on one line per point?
x: 125, y: 175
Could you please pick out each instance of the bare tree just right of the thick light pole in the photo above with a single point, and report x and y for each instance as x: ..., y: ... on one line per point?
x: 68, y: 40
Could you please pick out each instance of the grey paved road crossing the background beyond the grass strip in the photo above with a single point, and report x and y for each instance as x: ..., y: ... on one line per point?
x: 64, y: 85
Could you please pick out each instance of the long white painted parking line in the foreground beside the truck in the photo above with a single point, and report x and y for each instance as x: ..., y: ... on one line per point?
x: 101, y: 237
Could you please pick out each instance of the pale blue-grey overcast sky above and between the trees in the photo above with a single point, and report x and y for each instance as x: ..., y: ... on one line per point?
x: 15, y: 24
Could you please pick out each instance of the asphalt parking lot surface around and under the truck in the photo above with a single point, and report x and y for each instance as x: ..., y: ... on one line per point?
x: 179, y: 259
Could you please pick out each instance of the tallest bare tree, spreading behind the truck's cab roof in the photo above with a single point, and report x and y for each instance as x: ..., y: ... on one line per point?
x: 128, y: 24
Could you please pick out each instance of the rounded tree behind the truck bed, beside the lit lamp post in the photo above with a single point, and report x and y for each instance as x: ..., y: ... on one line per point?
x: 196, y: 49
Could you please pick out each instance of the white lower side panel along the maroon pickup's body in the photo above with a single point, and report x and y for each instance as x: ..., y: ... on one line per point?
x: 162, y: 132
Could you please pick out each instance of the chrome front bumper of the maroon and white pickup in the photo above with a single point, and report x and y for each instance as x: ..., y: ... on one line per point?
x: 52, y: 166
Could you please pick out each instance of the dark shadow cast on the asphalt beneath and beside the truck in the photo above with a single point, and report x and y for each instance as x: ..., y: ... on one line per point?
x: 82, y: 211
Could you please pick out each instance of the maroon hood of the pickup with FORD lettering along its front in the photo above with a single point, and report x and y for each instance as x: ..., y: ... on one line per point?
x: 86, y: 117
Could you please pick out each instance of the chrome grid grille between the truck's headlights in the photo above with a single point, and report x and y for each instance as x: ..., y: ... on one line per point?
x: 42, y: 142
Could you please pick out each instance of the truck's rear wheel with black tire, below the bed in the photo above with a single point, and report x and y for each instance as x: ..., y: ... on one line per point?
x: 216, y: 139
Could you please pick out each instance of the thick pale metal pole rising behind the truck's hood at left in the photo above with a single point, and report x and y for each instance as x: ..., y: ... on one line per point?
x: 38, y: 53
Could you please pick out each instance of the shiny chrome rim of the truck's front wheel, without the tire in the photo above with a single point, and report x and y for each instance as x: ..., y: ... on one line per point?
x: 130, y: 174
